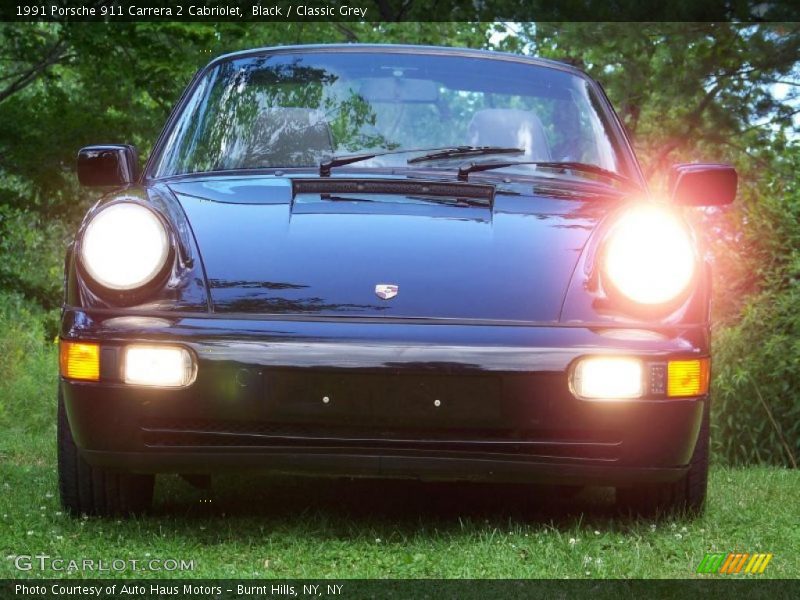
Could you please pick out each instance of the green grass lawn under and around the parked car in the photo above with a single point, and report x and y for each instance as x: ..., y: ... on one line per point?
x: 313, y: 528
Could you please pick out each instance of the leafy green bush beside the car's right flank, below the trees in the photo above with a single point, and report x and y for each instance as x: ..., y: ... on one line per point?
x: 757, y: 355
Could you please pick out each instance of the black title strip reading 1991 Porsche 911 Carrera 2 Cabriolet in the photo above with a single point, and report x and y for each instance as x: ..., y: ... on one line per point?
x: 399, y: 10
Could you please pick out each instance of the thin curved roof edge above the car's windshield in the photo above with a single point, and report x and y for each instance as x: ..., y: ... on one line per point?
x: 403, y: 48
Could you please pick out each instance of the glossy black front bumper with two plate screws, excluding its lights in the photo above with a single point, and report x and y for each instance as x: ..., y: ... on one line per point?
x: 435, y: 400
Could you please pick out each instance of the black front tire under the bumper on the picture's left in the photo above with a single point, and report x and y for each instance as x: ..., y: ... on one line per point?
x: 91, y: 490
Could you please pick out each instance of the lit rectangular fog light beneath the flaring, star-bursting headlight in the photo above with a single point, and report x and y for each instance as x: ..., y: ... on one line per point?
x: 608, y: 378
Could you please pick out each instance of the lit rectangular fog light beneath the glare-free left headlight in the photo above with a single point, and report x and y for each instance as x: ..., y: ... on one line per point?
x: 158, y: 366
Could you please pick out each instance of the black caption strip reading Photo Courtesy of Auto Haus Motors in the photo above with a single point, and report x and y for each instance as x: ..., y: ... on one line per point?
x: 434, y: 589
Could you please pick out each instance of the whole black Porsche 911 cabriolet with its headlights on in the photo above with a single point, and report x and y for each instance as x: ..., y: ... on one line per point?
x: 387, y: 261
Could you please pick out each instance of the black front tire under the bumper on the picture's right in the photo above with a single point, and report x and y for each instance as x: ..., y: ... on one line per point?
x: 687, y: 494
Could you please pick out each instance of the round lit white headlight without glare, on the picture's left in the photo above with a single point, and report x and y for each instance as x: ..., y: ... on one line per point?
x: 124, y: 246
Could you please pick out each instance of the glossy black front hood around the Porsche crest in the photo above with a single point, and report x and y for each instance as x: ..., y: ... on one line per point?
x: 265, y: 251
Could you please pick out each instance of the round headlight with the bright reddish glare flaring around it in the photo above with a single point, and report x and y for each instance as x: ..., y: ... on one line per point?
x: 649, y: 256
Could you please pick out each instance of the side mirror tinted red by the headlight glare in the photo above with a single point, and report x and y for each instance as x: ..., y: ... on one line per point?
x: 699, y: 184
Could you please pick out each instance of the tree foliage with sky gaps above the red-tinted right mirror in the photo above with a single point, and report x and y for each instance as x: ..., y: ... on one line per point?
x: 685, y: 91
